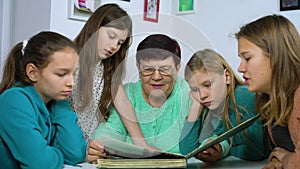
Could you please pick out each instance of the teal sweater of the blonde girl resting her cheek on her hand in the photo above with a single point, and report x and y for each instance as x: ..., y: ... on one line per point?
x: 250, y: 147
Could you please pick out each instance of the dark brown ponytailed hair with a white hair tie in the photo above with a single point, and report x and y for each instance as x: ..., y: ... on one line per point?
x: 38, y: 51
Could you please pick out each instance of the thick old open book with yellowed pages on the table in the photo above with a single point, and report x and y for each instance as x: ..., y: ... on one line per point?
x: 125, y: 155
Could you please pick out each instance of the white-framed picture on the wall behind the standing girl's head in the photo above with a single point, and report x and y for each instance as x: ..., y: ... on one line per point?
x: 81, y: 10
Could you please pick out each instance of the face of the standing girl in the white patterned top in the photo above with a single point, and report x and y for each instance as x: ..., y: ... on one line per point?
x: 110, y: 41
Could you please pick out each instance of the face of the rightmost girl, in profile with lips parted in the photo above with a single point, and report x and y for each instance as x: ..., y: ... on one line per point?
x: 255, y: 66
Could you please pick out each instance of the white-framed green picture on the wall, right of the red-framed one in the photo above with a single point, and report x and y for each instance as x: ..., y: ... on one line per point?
x: 180, y: 7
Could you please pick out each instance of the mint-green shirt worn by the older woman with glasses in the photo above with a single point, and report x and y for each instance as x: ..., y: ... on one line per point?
x: 161, y: 126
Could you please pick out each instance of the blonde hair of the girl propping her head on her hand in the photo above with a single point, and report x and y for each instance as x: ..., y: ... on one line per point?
x: 210, y: 61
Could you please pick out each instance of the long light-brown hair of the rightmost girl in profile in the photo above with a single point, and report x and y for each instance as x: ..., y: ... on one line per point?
x: 280, y: 41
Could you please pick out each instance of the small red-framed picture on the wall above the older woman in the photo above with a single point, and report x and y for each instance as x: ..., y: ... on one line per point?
x: 151, y: 10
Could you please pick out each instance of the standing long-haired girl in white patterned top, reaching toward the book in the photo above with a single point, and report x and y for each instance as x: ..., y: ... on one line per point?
x: 102, y: 45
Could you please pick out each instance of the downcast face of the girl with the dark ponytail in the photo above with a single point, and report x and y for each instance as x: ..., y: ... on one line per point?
x: 56, y: 80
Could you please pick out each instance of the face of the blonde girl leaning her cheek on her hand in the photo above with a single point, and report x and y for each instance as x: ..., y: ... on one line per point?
x: 209, y: 89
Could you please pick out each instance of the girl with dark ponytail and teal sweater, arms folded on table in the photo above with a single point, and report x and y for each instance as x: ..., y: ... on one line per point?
x: 38, y: 129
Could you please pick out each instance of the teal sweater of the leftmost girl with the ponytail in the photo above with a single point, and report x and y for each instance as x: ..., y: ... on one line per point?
x: 35, y: 136
